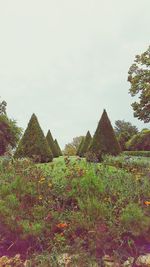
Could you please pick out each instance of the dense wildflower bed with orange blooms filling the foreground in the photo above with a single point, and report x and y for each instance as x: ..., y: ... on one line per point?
x: 70, y: 206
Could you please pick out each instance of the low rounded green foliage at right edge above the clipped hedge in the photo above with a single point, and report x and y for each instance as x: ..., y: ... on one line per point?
x: 141, y: 141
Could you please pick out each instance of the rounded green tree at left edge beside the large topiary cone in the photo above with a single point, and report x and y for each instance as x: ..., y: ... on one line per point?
x: 10, y: 133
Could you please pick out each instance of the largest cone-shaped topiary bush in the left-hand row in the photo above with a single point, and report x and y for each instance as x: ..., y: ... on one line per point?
x: 33, y: 143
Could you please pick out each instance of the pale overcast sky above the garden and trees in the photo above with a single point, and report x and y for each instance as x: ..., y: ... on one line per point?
x: 67, y: 60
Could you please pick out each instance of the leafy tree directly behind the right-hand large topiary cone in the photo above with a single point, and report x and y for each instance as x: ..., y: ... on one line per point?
x: 124, y: 131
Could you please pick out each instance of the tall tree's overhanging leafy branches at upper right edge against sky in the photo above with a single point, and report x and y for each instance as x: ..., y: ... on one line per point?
x: 139, y: 78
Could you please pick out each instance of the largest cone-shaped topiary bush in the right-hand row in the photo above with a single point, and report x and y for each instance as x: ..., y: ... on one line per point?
x: 104, y: 140
